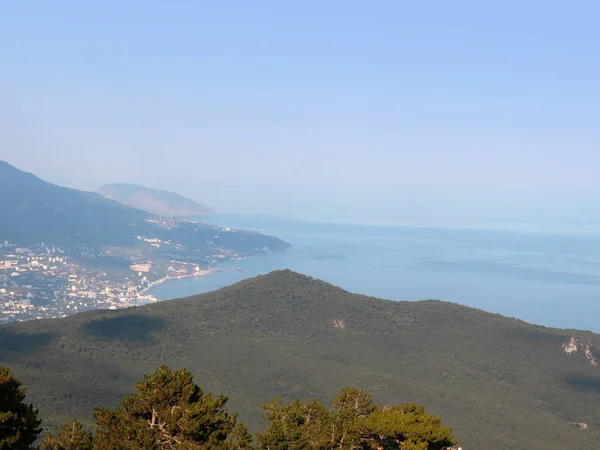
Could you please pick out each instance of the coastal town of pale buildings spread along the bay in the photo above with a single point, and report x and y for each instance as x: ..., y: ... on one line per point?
x: 47, y: 281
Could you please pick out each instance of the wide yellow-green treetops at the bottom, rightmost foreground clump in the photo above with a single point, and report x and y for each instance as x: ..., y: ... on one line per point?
x: 355, y: 422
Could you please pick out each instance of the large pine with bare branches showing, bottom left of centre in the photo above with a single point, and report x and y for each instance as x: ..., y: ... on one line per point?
x: 168, y: 411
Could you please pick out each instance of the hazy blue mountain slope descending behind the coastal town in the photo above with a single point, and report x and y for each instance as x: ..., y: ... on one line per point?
x: 34, y: 210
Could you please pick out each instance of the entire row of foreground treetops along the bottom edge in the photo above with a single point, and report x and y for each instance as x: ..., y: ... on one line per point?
x: 170, y: 411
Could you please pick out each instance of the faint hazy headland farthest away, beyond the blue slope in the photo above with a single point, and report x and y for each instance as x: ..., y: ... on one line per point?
x: 154, y: 201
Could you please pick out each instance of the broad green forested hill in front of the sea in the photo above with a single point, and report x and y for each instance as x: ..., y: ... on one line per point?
x: 500, y: 382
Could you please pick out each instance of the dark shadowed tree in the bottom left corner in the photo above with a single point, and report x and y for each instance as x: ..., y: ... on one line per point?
x: 19, y: 423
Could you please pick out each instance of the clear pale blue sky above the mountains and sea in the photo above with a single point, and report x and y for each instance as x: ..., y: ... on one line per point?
x: 266, y: 106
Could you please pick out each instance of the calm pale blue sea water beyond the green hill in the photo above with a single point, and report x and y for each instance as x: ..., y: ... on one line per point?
x: 542, y: 278
